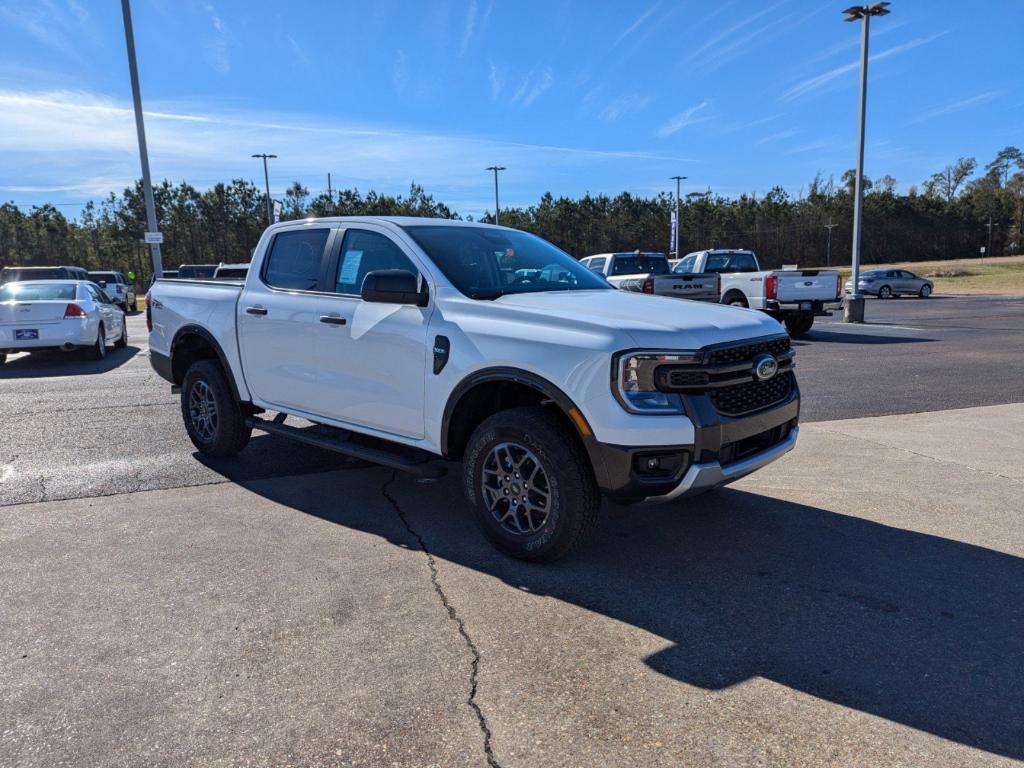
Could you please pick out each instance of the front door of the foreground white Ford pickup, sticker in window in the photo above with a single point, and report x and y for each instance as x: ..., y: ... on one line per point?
x: 371, y: 358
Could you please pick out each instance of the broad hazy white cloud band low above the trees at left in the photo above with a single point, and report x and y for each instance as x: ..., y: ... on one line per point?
x: 73, y: 142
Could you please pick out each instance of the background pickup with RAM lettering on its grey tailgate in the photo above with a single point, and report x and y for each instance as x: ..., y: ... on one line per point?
x: 651, y: 274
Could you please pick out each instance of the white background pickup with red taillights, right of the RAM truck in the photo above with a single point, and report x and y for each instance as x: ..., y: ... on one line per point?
x: 794, y: 297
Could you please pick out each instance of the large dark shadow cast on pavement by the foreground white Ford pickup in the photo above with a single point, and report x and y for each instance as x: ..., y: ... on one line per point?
x: 923, y: 631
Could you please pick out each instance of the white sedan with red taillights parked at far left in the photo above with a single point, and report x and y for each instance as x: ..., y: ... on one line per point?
x: 59, y: 315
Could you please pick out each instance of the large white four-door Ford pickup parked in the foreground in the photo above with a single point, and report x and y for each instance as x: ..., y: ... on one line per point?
x: 414, y: 343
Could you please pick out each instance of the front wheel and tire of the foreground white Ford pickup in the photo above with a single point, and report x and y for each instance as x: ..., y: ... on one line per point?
x: 537, y: 442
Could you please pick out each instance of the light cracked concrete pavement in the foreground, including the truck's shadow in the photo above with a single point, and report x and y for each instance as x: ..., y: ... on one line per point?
x: 862, y: 603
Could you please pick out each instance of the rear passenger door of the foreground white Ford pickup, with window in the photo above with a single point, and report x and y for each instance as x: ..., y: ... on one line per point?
x: 277, y: 318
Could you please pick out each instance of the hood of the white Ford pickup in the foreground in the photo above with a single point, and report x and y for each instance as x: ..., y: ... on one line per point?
x: 650, y: 321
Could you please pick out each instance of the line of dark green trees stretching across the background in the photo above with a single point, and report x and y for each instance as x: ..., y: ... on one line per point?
x: 948, y: 217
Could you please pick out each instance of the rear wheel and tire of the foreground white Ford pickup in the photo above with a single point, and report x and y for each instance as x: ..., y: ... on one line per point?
x: 214, y: 418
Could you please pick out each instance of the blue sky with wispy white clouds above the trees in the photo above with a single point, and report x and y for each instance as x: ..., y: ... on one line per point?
x: 571, y: 96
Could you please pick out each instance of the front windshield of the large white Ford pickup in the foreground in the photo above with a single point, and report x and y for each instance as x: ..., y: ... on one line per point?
x: 485, y: 264
